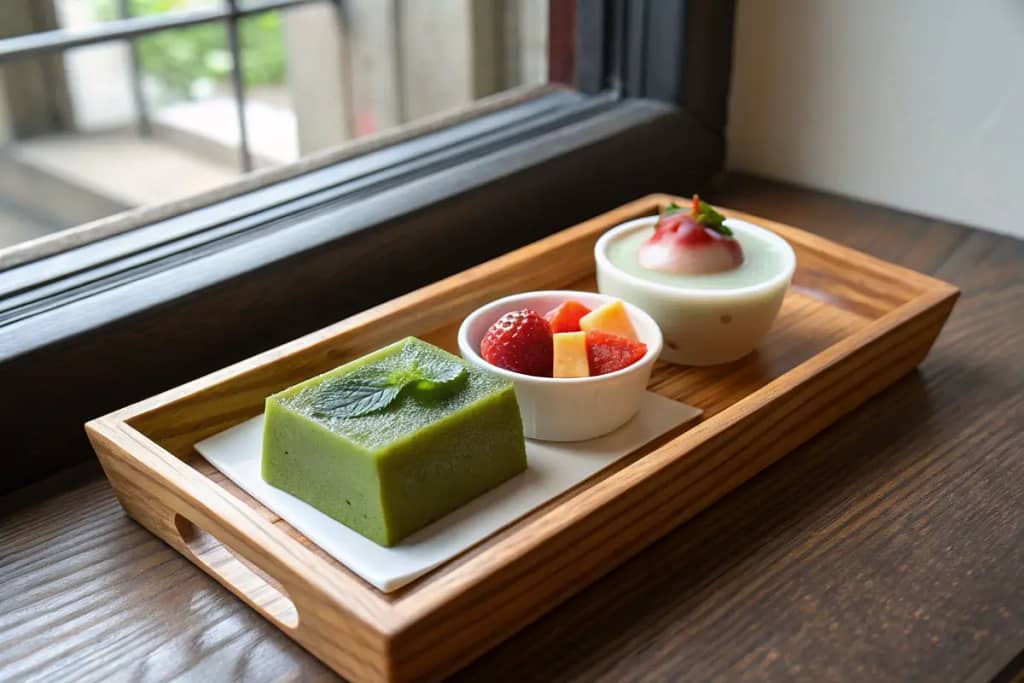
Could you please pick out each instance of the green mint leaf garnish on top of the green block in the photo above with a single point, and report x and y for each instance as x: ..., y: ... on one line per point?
x: 373, y: 389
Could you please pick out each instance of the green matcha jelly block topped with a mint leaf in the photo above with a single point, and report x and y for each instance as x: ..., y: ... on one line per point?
x: 387, y: 452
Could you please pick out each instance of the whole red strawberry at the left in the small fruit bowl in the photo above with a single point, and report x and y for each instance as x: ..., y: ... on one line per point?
x: 520, y: 341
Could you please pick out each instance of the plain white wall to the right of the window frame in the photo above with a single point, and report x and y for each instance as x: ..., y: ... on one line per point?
x: 913, y: 104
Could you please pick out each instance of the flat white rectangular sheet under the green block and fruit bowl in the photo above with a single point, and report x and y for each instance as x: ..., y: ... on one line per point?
x: 553, y: 469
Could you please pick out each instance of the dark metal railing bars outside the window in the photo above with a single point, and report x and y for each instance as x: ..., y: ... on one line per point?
x: 131, y: 28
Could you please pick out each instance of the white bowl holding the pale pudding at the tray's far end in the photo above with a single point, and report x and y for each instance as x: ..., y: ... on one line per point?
x: 701, y: 327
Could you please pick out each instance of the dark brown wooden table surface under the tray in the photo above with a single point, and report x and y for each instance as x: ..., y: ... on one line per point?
x: 891, y: 547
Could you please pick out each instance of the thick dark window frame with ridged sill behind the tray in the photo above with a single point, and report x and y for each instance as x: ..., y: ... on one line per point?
x: 88, y: 330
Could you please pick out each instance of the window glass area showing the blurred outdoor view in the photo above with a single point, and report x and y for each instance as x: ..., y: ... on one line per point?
x: 113, y: 105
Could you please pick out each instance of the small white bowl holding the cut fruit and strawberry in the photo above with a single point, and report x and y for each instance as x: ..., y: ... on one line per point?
x: 568, y: 409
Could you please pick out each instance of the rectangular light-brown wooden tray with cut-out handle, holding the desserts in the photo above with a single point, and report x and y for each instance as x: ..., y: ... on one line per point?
x: 850, y: 326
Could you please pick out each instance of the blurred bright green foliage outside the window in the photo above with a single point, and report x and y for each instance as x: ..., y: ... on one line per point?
x: 179, y: 59
